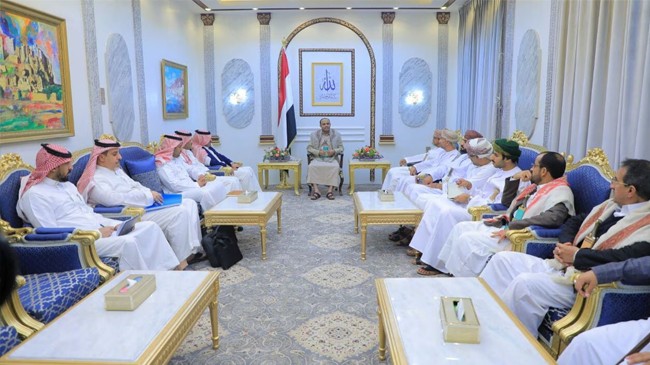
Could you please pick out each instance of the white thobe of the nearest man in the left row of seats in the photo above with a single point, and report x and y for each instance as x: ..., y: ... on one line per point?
x: 59, y: 204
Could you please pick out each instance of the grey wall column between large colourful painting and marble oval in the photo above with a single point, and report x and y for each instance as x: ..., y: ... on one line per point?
x: 92, y: 66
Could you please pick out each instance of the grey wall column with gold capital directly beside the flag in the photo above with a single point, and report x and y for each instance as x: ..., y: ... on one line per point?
x: 266, y: 138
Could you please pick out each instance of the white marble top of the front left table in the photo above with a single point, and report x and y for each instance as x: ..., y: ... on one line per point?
x: 90, y: 333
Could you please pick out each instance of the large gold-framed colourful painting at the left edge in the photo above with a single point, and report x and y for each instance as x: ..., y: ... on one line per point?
x: 35, y: 91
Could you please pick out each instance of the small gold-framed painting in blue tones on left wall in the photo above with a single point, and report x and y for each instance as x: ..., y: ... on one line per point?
x: 174, y: 90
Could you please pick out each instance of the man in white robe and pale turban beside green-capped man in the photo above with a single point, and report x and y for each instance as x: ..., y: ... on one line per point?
x: 484, y: 182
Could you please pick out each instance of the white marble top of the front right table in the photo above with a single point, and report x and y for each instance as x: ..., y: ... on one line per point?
x: 416, y: 305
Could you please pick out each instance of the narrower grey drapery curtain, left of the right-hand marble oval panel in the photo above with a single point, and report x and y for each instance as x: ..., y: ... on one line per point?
x: 480, y: 44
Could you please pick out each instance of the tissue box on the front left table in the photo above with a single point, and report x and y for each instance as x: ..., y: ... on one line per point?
x: 129, y: 299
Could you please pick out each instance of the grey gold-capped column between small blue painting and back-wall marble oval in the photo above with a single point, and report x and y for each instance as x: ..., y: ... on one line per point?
x: 208, y: 71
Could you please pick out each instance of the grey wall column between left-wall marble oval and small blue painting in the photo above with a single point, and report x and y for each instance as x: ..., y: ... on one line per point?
x: 139, y: 72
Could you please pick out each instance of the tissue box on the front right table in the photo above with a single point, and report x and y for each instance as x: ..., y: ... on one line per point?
x: 464, y: 329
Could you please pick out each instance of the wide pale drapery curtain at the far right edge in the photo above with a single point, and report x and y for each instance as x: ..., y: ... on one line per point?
x: 601, y: 91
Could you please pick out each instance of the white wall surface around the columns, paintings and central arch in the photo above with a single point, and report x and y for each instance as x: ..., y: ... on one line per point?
x: 174, y: 31
